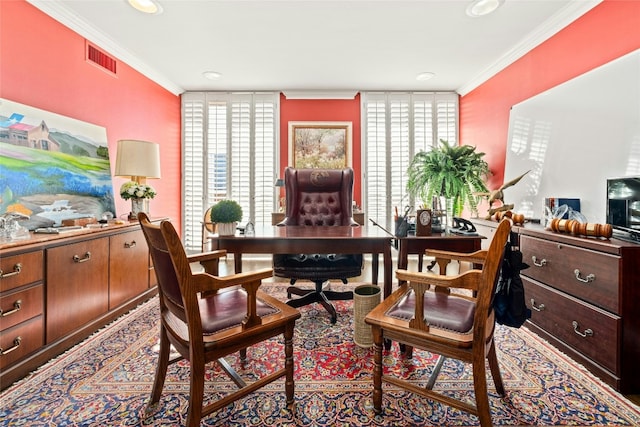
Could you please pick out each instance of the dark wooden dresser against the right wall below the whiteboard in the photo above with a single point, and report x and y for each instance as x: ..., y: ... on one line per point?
x: 584, y: 293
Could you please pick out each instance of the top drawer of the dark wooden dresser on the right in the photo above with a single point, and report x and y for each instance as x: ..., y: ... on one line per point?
x: 588, y: 275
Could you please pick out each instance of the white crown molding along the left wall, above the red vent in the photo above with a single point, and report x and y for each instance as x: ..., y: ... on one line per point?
x: 60, y: 13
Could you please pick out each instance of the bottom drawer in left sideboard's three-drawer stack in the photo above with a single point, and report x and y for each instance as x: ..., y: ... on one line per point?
x: 21, y: 340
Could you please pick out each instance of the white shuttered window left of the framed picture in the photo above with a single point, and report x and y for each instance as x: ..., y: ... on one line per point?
x: 229, y: 152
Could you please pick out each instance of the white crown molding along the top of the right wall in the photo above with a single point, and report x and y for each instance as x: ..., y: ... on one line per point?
x: 560, y: 20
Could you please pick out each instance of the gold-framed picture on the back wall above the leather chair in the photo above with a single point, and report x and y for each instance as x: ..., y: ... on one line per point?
x: 325, y: 145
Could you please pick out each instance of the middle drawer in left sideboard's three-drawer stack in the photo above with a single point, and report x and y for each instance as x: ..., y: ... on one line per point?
x: 19, y: 306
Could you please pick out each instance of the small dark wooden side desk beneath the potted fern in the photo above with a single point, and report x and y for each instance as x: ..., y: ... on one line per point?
x: 441, y: 241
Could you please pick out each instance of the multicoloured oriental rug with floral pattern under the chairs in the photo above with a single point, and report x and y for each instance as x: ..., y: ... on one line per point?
x: 107, y: 379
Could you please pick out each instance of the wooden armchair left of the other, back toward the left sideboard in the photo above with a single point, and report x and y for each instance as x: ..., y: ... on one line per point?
x: 206, y: 317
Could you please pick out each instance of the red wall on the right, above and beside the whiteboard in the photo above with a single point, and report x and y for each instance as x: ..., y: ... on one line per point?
x: 608, y: 31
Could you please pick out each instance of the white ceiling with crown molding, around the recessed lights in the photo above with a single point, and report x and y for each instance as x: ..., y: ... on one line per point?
x: 316, y: 45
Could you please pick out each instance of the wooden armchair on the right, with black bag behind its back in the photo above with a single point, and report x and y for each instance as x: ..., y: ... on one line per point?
x: 423, y: 314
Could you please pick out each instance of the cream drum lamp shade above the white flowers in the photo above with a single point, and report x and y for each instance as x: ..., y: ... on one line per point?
x: 138, y: 159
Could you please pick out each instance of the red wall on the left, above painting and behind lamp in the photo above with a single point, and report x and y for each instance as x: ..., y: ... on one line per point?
x: 42, y: 65
